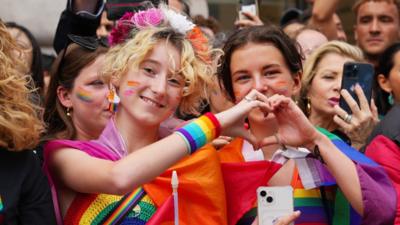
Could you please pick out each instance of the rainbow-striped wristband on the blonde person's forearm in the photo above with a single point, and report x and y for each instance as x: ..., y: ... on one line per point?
x: 199, y: 132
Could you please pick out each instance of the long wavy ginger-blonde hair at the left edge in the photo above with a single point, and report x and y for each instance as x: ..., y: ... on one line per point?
x: 20, y: 126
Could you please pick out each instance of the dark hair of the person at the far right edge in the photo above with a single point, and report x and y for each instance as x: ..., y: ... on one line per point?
x: 386, y: 63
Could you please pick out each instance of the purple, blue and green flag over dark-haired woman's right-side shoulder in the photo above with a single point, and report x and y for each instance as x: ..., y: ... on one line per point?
x: 375, y: 186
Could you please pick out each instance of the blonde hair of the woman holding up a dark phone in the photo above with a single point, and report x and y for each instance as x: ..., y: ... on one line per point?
x: 311, y: 64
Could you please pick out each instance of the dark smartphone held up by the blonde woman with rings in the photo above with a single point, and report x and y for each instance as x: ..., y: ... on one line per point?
x: 353, y: 73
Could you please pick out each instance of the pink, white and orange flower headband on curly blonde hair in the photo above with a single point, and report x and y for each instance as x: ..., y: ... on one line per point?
x: 154, y: 17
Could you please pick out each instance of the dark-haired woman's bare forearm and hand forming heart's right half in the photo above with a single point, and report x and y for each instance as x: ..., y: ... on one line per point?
x: 296, y: 130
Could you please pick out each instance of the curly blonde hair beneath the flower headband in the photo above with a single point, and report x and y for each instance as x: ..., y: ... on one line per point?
x: 196, y: 71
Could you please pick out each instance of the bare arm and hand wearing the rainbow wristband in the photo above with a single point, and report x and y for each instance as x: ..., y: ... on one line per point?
x: 83, y: 173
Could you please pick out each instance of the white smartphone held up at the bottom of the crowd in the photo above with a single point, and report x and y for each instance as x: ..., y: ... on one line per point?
x: 273, y: 203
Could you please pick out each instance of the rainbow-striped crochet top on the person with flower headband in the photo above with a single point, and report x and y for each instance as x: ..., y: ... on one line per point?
x: 93, y: 208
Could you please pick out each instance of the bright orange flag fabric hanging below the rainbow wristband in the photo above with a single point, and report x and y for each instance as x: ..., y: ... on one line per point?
x: 201, y: 190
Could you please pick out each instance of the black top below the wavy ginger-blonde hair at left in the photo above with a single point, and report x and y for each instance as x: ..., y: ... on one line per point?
x: 25, y: 196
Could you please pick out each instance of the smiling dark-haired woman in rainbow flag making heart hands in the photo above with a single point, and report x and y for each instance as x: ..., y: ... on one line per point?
x: 301, y: 155
